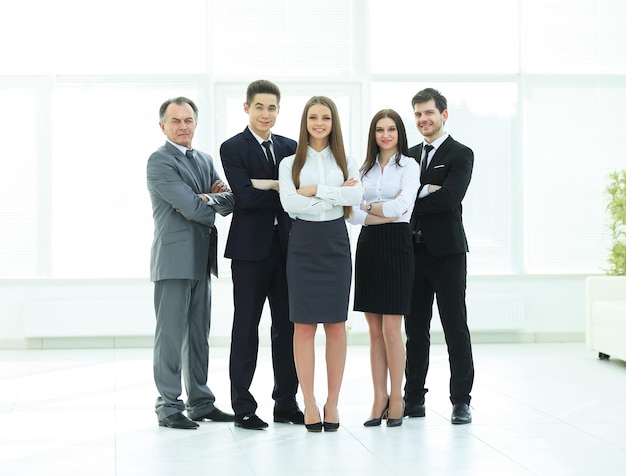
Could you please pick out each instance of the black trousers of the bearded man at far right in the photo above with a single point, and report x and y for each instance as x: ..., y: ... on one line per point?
x: 444, y: 277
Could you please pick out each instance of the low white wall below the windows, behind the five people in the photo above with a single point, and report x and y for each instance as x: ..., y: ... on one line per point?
x: 118, y: 313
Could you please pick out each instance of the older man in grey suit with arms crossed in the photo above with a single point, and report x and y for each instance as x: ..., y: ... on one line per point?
x: 186, y: 192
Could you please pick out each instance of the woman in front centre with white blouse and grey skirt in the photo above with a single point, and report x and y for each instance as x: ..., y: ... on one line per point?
x: 318, y: 187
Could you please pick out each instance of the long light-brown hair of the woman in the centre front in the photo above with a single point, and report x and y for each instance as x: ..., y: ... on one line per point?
x: 335, y: 141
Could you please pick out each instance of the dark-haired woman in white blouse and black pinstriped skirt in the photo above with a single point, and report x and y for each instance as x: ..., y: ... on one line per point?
x: 384, y: 265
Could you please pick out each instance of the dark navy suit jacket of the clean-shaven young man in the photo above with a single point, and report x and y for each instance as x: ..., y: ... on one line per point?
x: 252, y: 227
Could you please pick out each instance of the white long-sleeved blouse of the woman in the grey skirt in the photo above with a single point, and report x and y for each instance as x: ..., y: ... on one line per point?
x: 320, y: 168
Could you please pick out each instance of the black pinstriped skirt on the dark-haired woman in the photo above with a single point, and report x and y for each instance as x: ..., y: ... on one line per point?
x: 384, y: 268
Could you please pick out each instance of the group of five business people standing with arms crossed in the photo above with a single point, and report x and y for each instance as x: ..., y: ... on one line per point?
x: 288, y: 244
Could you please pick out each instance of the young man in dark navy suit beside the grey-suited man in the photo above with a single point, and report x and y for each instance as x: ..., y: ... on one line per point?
x: 257, y: 246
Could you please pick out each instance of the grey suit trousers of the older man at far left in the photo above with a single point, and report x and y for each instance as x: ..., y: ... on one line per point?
x: 181, y: 343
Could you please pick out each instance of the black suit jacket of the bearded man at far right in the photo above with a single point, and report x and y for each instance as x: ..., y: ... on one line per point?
x: 439, y: 215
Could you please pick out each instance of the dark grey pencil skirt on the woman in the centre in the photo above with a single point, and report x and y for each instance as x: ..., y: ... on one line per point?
x: 319, y: 271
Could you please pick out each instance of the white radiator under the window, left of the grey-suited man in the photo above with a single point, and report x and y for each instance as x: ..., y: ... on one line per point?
x: 88, y: 318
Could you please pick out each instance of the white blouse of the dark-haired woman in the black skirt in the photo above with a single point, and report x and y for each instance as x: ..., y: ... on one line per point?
x: 383, y: 185
